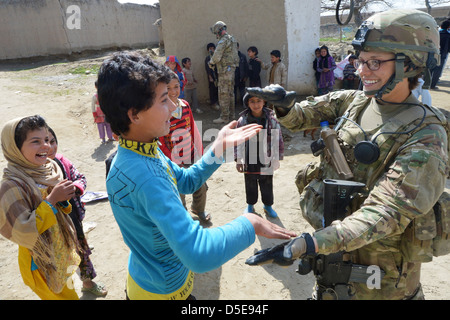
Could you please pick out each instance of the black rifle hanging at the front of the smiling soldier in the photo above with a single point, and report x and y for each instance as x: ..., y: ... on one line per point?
x: 333, y: 273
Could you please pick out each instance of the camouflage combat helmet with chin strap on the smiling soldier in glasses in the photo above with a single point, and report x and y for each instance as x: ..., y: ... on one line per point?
x: 412, y: 35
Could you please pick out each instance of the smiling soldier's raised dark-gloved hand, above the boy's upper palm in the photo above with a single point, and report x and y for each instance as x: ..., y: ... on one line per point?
x: 274, y: 94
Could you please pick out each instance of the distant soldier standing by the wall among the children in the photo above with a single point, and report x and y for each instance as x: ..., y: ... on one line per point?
x: 225, y: 59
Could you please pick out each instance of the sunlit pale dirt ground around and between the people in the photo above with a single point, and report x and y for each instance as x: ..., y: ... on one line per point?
x: 60, y: 90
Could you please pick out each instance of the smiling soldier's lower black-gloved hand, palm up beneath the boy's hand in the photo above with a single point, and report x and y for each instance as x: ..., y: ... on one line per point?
x: 284, y: 254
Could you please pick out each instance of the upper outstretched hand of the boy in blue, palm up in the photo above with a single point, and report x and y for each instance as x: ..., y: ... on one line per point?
x: 230, y: 136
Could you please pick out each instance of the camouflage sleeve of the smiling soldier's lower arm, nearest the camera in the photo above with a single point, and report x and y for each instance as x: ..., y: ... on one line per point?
x: 408, y: 189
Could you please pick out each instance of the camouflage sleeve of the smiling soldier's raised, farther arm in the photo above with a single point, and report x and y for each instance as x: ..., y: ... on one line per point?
x: 308, y: 113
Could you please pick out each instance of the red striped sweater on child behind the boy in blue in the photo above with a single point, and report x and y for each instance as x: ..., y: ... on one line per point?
x: 183, y: 145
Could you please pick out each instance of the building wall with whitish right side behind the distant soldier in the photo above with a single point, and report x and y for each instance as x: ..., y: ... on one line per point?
x: 291, y: 26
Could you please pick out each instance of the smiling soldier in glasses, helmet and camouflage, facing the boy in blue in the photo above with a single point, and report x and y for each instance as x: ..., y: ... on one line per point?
x: 403, y: 162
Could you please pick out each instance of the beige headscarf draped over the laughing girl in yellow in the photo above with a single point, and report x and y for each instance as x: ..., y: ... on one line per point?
x: 19, y: 199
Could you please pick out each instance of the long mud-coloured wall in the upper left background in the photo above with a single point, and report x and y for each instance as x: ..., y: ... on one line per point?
x: 47, y: 27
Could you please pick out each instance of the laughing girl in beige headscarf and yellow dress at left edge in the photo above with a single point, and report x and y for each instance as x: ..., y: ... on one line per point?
x: 34, y: 210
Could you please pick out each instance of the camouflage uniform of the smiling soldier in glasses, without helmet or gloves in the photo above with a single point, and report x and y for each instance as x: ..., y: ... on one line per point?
x: 397, y: 192
